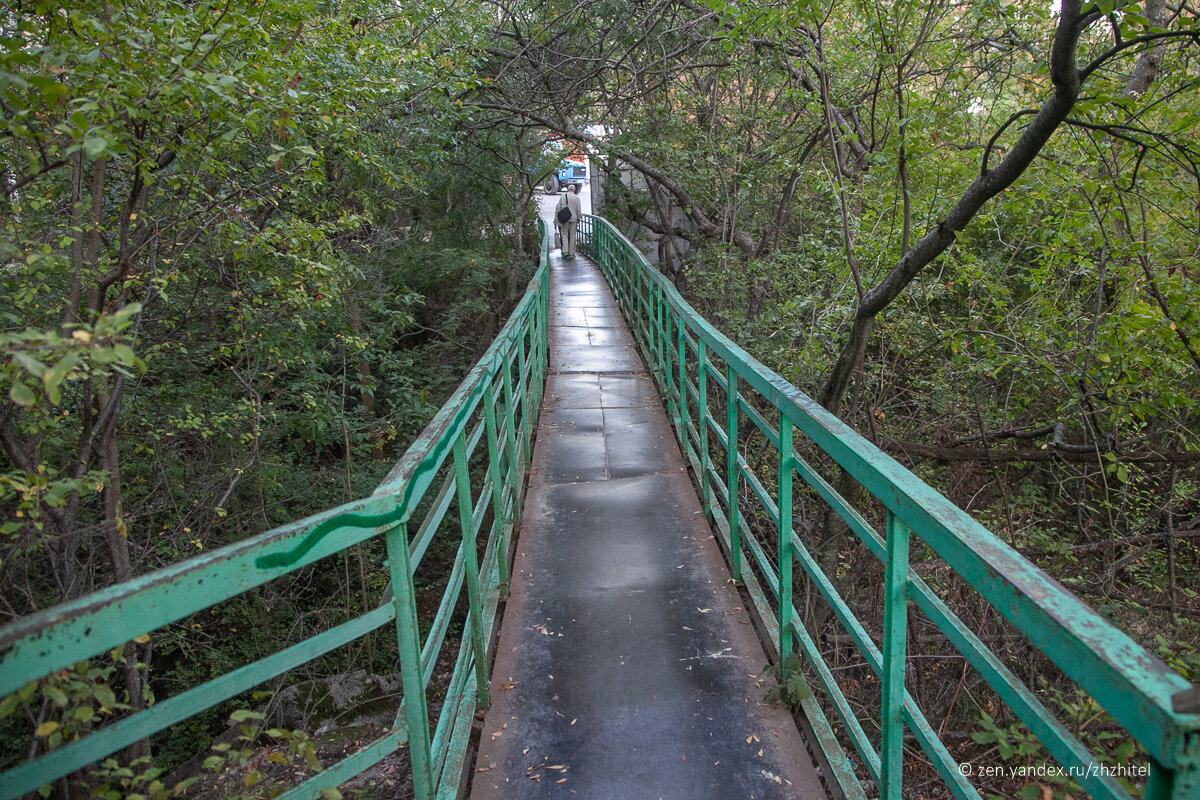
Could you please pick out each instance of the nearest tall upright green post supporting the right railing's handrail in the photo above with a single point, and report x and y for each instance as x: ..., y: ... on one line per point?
x: 896, y: 621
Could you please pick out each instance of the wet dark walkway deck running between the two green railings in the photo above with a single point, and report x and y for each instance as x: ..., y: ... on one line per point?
x: 627, y: 666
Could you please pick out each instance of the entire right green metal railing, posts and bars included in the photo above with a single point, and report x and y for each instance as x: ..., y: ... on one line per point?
x: 699, y: 370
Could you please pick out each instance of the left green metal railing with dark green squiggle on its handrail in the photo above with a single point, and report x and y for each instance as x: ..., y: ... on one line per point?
x: 496, y: 405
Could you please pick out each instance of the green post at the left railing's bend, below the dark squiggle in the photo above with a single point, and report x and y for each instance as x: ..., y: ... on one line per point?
x: 409, y: 639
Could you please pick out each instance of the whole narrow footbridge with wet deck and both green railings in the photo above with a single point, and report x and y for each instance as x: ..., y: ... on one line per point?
x: 633, y: 500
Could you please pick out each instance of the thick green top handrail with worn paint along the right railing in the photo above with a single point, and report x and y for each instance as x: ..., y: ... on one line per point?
x: 1133, y: 685
